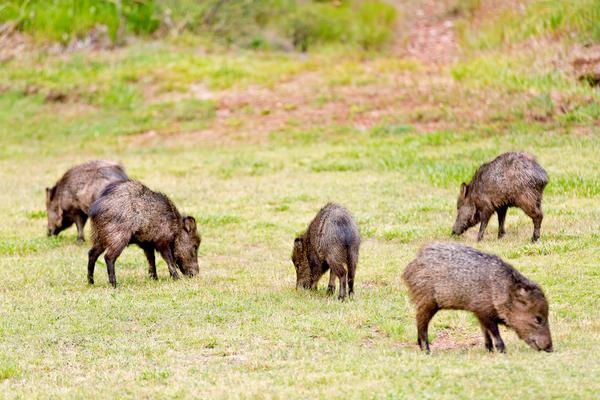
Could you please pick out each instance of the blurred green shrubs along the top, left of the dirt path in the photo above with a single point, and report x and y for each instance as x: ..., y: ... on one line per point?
x: 247, y: 23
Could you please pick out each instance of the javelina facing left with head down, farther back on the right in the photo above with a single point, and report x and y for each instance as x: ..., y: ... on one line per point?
x: 510, y: 180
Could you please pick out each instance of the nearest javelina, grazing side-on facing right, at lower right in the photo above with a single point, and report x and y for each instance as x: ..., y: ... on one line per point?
x: 453, y: 276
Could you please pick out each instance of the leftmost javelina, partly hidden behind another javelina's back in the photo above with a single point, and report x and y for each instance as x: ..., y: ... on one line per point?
x: 69, y: 200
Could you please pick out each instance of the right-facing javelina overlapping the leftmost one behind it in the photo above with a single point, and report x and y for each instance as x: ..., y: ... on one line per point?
x: 128, y: 212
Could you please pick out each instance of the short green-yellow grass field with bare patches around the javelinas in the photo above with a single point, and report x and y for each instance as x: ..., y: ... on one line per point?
x: 253, y: 144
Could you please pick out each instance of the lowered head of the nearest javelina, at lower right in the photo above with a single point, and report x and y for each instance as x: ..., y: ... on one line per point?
x: 528, y: 316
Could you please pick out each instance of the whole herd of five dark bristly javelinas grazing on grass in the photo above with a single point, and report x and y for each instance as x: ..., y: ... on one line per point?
x: 444, y: 275
